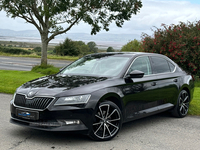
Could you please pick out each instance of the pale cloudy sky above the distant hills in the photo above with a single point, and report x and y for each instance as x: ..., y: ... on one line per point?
x: 152, y: 14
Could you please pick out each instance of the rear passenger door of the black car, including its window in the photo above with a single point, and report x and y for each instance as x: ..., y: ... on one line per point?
x: 167, y: 79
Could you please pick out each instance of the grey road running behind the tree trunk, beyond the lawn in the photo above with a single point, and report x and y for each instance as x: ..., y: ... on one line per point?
x: 26, y: 64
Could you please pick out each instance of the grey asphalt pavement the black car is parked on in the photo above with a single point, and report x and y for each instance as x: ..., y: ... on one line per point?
x: 158, y: 132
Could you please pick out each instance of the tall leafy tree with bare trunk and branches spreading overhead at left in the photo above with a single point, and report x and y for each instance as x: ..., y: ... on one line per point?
x: 48, y: 16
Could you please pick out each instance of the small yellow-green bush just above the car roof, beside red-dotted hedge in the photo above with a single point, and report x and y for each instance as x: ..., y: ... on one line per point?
x: 132, y: 46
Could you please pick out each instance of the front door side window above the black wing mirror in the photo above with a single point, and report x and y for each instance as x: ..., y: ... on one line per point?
x: 141, y: 64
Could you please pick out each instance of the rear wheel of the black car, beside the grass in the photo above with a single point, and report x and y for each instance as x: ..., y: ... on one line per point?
x: 182, y: 106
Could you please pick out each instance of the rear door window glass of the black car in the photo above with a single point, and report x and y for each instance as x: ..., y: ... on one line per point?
x: 160, y: 65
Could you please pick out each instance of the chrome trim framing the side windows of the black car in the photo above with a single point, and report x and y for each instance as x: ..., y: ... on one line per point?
x: 153, y: 74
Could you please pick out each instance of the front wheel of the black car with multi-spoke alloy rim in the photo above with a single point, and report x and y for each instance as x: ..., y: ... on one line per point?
x: 107, y: 121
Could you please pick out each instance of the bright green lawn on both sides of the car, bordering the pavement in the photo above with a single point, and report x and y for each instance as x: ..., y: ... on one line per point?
x: 11, y: 80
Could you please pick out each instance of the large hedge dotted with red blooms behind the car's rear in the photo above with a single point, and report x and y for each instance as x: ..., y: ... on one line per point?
x: 179, y: 42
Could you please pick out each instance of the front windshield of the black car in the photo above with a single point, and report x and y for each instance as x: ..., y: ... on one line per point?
x: 97, y: 65
